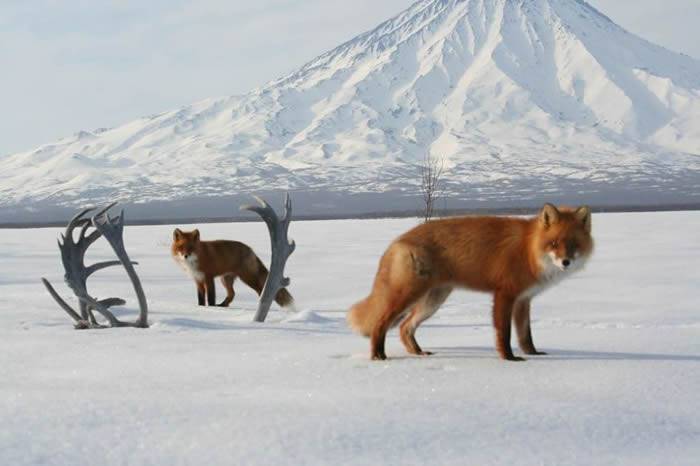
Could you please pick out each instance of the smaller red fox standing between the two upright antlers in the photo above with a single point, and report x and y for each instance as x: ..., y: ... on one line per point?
x: 206, y: 260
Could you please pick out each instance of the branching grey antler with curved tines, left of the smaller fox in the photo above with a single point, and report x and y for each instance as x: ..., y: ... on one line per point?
x: 76, y: 273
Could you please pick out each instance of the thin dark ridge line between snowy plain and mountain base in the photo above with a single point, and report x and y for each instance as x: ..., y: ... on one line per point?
x: 371, y: 215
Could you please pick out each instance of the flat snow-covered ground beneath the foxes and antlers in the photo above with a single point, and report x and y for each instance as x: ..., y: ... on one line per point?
x: 206, y: 386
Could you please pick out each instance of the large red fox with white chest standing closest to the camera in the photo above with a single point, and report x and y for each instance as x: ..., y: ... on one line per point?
x: 513, y: 258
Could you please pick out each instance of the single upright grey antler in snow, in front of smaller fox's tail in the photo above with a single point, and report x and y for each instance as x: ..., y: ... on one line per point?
x: 282, y: 248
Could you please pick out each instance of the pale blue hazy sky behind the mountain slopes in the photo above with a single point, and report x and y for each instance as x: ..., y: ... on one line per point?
x: 83, y: 64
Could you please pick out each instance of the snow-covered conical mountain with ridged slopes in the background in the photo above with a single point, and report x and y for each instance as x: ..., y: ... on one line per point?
x: 525, y: 100
